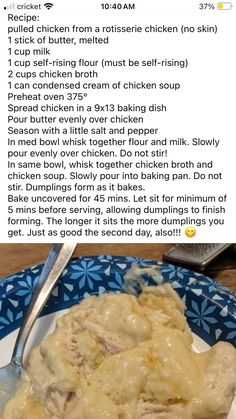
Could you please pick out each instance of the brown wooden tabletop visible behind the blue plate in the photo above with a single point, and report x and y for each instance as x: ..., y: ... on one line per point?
x: 14, y: 257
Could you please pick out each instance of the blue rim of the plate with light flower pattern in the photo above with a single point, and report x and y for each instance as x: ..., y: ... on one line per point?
x: 210, y: 308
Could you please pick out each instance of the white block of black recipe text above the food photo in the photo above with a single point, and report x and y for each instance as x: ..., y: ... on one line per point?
x: 117, y: 124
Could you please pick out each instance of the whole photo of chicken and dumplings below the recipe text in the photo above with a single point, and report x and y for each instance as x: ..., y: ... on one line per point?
x: 117, y: 331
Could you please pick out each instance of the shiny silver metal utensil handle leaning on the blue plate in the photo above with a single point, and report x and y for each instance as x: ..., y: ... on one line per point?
x: 56, y: 261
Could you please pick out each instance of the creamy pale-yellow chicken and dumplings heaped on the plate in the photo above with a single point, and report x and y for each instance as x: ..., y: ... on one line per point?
x: 118, y: 356
